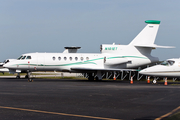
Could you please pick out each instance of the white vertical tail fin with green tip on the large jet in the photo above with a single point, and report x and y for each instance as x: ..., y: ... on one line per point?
x: 148, y: 35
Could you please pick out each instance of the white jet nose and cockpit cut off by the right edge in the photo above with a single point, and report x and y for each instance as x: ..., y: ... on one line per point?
x: 168, y: 68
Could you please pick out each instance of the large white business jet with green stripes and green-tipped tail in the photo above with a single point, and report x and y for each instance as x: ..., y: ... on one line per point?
x: 112, y: 57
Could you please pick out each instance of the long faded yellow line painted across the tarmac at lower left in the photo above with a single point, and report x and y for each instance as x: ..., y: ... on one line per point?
x: 56, y: 113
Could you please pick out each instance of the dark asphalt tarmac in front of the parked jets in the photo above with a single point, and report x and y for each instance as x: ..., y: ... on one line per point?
x: 46, y: 99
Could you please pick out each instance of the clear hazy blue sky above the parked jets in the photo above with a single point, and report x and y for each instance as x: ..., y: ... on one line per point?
x: 50, y: 25
